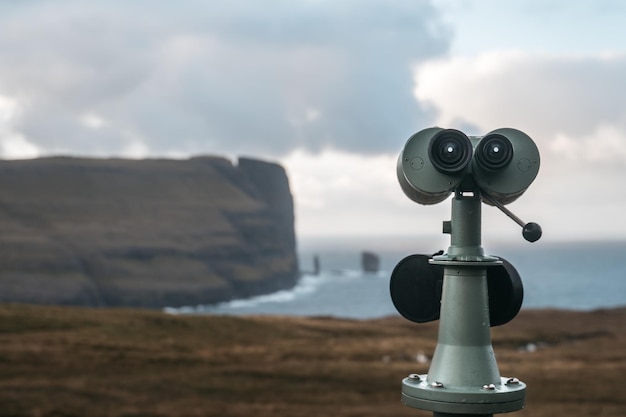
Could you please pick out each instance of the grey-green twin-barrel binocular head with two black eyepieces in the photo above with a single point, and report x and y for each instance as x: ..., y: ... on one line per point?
x: 435, y: 162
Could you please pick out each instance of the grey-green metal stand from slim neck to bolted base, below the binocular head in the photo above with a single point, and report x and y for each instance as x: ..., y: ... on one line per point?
x: 463, y: 378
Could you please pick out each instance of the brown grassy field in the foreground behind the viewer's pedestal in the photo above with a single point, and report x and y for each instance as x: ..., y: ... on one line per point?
x: 58, y: 361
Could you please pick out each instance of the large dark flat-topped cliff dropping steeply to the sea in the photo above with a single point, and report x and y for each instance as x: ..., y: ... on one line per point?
x: 147, y: 233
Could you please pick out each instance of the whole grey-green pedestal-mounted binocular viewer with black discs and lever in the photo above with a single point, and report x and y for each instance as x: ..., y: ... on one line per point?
x: 467, y: 290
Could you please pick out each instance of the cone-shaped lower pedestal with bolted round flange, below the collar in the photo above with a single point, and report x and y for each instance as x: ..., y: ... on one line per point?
x: 463, y: 377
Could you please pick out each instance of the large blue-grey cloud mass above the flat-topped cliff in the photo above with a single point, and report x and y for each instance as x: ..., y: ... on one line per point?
x: 234, y: 77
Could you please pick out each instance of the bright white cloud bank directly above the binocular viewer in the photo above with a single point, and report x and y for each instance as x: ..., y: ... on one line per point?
x: 546, y: 95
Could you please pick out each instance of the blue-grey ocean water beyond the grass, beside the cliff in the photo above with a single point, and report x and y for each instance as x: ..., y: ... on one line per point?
x: 573, y: 276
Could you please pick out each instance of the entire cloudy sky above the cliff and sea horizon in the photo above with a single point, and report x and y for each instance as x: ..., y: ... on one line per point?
x: 332, y: 90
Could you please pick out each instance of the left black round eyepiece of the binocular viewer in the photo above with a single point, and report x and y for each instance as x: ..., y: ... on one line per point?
x: 450, y: 151
